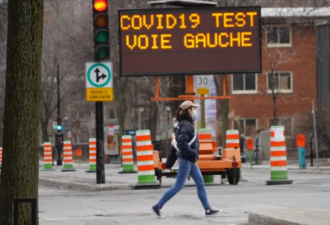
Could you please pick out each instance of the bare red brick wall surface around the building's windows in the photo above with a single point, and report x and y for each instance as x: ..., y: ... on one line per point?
x: 304, y: 74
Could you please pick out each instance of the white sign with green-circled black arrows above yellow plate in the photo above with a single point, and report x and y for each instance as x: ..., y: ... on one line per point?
x: 99, y: 82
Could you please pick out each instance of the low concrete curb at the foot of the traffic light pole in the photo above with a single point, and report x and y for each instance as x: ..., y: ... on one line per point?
x: 73, y: 185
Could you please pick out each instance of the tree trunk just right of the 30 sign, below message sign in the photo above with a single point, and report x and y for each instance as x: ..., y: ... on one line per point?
x: 224, y: 107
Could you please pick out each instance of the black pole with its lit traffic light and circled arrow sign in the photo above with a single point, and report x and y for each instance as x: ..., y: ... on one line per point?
x: 99, y: 79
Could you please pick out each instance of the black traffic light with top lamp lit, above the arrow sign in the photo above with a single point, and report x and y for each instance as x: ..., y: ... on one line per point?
x: 101, y: 29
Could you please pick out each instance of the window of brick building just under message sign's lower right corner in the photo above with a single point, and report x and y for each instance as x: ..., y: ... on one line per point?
x: 244, y: 83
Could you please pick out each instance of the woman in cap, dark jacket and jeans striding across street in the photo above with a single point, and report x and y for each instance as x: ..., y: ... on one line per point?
x: 187, y: 151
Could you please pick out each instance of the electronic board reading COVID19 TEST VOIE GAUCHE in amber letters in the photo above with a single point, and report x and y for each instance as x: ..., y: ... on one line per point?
x: 190, y: 41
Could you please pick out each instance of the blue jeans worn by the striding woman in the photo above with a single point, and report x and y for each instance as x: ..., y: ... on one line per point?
x: 187, y: 168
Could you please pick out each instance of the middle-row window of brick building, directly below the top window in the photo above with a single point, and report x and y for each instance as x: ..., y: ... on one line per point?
x: 279, y: 81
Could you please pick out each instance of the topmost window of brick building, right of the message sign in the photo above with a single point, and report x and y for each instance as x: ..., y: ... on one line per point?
x: 278, y: 36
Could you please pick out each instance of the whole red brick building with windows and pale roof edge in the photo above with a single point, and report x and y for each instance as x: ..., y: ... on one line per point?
x: 295, y: 64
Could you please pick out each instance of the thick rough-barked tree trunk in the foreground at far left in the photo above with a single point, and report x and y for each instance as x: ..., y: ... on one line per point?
x: 19, y: 175
